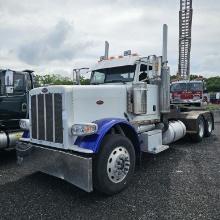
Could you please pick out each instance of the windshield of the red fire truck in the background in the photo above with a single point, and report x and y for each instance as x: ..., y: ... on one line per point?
x: 180, y: 87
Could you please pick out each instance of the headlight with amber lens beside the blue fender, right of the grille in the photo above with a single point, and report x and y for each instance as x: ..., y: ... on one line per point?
x: 84, y: 129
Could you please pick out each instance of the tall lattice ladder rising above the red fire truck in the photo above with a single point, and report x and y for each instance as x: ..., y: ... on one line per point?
x: 185, y: 25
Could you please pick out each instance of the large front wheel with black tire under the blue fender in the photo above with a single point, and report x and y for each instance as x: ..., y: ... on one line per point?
x: 114, y: 165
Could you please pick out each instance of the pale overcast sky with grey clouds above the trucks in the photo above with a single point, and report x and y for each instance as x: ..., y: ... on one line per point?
x: 53, y: 36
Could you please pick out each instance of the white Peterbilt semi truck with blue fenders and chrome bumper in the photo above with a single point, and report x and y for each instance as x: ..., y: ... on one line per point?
x: 93, y: 135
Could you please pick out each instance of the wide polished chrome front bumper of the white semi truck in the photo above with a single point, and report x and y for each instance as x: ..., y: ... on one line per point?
x: 75, y: 169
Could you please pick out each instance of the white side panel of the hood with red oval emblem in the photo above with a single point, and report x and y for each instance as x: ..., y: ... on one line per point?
x: 95, y: 102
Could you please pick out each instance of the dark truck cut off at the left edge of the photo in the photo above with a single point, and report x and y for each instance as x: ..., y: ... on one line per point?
x: 14, y: 88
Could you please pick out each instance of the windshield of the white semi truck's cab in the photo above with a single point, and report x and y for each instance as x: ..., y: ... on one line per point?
x: 114, y: 74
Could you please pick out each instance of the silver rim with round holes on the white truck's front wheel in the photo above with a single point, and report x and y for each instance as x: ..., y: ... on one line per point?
x: 118, y: 164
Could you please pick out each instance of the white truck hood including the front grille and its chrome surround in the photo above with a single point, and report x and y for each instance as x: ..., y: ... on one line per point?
x: 68, y: 105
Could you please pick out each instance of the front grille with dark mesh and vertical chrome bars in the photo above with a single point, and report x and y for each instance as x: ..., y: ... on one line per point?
x: 46, y: 117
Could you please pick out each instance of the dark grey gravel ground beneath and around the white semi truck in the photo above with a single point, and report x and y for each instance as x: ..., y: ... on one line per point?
x: 181, y: 183
